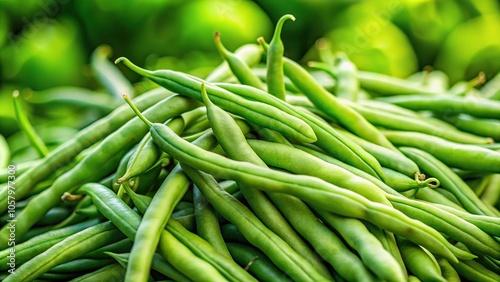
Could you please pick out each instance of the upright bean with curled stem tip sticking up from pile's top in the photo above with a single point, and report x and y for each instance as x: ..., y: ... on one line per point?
x: 274, y: 61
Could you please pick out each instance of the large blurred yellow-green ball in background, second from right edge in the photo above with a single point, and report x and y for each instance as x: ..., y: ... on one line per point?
x: 371, y: 41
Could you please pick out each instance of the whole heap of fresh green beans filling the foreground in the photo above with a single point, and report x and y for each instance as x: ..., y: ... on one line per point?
x: 260, y: 171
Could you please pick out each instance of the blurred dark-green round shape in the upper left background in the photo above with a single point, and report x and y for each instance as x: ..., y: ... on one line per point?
x: 49, y: 53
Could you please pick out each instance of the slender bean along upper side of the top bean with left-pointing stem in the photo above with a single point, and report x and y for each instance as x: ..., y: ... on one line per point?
x: 327, y: 137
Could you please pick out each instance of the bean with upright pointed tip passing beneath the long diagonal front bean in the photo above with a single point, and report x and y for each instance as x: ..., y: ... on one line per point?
x: 233, y: 142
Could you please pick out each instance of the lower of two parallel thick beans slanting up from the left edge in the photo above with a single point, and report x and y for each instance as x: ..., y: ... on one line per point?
x: 105, y: 156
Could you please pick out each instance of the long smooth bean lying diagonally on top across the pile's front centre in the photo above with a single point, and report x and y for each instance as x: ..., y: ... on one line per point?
x: 310, y: 189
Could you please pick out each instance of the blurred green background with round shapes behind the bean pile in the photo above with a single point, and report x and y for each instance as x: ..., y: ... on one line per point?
x: 49, y: 43
